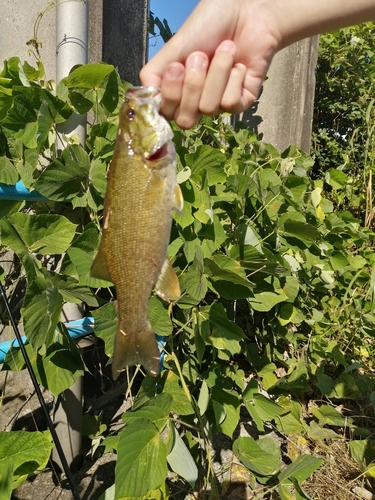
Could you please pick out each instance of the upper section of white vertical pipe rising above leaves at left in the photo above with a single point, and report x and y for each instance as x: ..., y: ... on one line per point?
x: 71, y: 49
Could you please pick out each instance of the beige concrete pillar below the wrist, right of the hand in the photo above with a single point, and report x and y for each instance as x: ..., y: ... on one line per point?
x: 283, y: 115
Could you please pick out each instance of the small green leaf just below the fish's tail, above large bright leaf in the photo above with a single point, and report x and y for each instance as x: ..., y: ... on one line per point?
x: 156, y: 410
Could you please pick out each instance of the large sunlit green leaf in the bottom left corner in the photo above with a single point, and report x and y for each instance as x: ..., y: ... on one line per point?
x: 29, y: 451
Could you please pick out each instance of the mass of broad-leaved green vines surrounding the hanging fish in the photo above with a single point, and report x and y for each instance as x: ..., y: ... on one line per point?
x: 277, y: 300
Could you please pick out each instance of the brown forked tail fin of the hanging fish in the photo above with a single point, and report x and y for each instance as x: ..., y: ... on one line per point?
x: 130, y: 350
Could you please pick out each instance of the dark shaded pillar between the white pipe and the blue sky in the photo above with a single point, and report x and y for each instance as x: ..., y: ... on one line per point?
x: 125, y: 36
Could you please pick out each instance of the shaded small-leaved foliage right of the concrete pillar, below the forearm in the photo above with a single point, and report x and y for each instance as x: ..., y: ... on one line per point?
x: 343, y: 137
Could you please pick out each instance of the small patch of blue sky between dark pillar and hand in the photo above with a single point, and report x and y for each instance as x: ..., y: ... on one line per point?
x: 175, y: 12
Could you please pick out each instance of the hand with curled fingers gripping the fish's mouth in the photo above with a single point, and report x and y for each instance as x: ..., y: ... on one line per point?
x: 216, y: 62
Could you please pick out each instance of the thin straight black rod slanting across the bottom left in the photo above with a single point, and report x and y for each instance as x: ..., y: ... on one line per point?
x: 51, y: 427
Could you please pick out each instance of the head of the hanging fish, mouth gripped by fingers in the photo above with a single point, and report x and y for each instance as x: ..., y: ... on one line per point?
x: 147, y: 133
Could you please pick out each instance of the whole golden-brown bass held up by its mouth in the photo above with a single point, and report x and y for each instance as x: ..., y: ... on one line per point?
x: 142, y: 192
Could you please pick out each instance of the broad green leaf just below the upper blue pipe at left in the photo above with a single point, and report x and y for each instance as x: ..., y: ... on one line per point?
x: 45, y: 234
